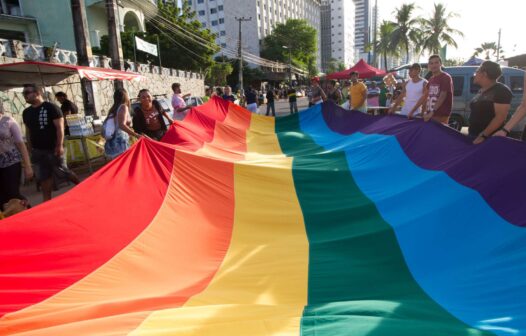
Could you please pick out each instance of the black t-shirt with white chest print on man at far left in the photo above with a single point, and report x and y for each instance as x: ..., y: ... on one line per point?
x: 39, y: 121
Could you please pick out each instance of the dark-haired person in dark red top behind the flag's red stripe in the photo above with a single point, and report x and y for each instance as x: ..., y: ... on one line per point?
x: 148, y: 117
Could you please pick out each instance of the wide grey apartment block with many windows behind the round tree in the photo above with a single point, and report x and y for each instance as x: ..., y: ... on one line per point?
x: 220, y: 17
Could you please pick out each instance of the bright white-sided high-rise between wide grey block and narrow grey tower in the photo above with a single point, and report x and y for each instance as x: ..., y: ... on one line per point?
x: 337, y: 22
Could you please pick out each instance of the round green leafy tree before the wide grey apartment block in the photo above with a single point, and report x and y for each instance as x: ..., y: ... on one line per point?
x: 301, y: 41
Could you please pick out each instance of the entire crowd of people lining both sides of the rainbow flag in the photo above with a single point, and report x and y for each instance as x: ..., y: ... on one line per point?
x: 429, y: 99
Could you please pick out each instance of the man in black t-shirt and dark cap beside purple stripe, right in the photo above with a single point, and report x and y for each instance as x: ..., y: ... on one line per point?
x: 489, y: 108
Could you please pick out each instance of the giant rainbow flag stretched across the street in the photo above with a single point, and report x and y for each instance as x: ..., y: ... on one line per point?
x: 326, y: 222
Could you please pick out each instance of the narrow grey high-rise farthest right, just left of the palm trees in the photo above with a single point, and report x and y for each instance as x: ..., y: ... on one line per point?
x: 362, y: 28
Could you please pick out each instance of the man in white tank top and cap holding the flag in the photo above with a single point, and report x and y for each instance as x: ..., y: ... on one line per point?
x: 414, y: 89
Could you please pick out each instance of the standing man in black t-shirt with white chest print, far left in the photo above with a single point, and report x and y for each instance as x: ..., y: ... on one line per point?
x: 45, y: 131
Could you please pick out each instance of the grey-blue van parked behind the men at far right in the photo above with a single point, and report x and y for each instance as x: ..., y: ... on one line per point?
x: 464, y: 90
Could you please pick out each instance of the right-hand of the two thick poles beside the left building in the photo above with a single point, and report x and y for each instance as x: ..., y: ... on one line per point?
x: 114, y: 36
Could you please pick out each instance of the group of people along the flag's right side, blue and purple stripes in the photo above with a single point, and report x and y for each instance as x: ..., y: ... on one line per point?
x: 432, y: 98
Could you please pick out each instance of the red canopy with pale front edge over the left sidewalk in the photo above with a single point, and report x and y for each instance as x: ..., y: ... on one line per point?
x: 13, y: 75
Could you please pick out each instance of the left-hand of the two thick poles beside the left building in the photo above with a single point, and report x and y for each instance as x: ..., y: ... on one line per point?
x: 84, y: 54
